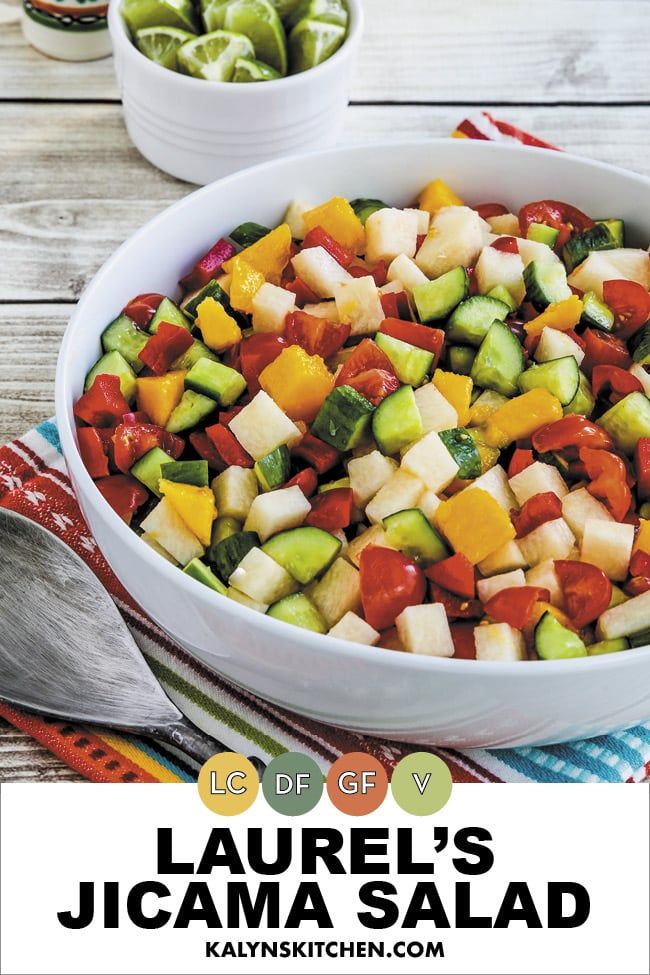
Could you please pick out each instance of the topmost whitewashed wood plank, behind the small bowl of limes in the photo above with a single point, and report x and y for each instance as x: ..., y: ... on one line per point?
x: 447, y: 51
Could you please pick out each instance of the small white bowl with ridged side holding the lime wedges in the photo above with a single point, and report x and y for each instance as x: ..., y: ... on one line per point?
x: 201, y: 130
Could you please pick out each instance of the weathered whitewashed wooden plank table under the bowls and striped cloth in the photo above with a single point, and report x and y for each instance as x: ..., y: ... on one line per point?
x: 72, y: 187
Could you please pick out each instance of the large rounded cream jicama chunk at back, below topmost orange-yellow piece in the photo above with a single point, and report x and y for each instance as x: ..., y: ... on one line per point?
x: 456, y: 237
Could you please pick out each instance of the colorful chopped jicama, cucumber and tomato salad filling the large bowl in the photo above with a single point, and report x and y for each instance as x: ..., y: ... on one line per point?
x: 424, y: 429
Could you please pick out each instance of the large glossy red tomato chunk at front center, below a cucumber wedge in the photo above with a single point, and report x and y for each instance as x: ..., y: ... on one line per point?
x: 389, y: 583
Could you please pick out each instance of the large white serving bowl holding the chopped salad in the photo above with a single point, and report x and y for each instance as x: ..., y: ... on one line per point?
x: 459, y: 703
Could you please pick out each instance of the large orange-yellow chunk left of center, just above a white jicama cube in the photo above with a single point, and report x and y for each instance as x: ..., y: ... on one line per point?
x: 298, y: 382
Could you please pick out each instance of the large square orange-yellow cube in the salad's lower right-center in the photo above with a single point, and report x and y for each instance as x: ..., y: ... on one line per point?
x: 474, y: 523
